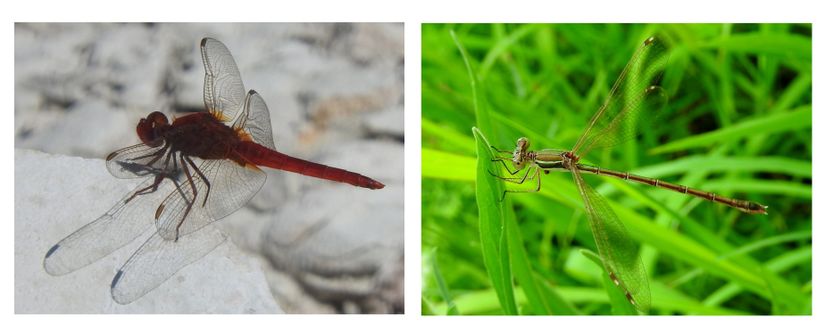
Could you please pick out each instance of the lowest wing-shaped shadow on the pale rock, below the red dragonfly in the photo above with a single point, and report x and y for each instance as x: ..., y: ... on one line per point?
x: 158, y: 259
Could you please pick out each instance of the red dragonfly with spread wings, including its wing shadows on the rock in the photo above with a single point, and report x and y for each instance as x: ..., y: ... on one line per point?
x: 199, y: 168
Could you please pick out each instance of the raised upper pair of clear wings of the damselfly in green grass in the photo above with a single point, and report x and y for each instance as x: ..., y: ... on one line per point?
x: 635, y: 99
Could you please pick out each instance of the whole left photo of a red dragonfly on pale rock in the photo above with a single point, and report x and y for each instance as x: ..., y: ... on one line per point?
x: 209, y: 168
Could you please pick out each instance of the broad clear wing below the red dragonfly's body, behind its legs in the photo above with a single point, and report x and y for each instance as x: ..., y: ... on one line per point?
x: 229, y: 187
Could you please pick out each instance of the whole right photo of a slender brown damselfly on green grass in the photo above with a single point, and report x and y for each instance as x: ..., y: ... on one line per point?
x: 616, y: 169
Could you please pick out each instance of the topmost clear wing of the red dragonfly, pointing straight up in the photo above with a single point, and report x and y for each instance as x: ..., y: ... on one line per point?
x: 223, y: 91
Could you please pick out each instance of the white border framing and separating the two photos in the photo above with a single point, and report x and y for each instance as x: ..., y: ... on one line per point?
x: 412, y: 13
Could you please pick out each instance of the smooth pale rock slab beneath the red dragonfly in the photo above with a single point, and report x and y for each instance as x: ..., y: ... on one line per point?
x: 55, y: 195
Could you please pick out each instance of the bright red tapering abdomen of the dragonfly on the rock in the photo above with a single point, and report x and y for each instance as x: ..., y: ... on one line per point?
x: 262, y: 156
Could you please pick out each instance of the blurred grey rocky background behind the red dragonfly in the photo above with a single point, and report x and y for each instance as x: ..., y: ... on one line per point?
x: 335, y: 93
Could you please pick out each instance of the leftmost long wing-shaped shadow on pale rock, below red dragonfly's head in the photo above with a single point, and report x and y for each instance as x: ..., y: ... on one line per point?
x: 120, y: 225
